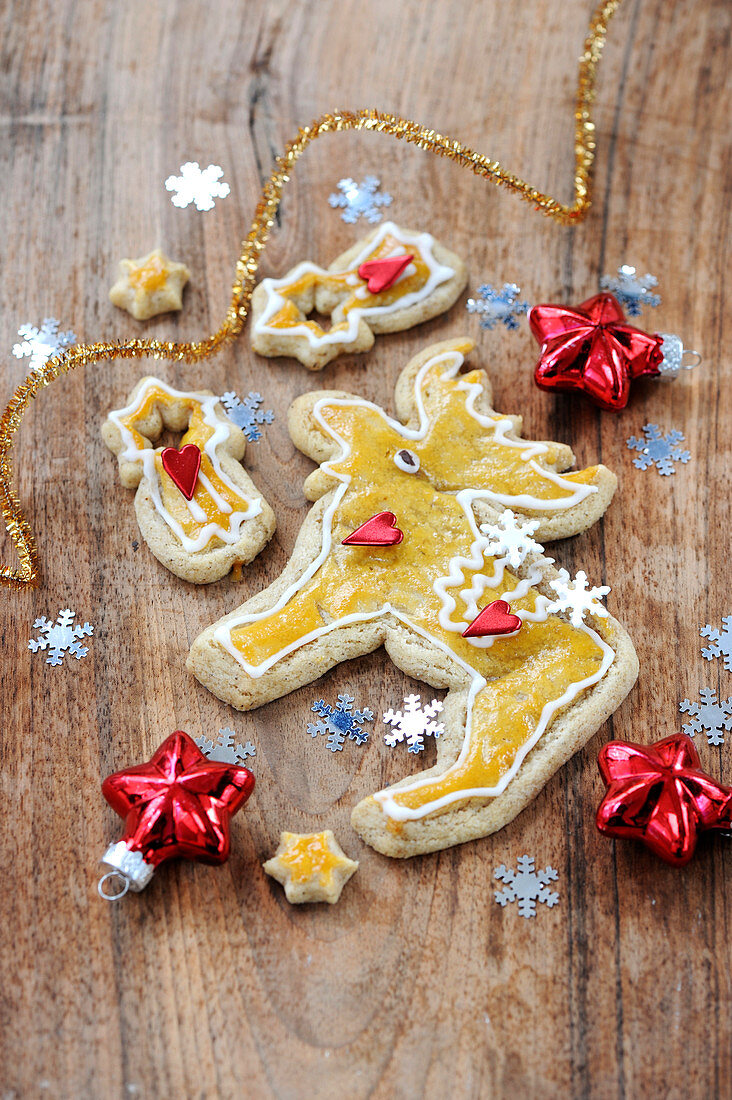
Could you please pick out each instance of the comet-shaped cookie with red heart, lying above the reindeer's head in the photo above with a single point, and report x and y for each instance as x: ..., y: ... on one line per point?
x: 388, y: 282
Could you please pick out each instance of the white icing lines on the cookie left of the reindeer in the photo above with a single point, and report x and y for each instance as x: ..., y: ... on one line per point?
x: 222, y: 432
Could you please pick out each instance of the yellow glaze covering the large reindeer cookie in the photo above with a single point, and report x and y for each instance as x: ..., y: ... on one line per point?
x: 525, y: 673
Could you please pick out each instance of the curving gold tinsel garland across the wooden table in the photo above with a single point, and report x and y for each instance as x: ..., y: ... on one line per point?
x: 254, y: 246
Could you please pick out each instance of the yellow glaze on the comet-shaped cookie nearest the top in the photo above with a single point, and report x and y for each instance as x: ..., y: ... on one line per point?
x: 301, y: 292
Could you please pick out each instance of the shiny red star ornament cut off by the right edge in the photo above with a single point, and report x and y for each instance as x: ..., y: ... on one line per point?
x: 659, y: 795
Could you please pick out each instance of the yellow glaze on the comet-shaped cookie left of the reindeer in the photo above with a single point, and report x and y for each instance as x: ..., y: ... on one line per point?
x: 198, y: 433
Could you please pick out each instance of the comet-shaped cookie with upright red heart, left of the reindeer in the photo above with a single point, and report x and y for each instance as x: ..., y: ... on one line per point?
x: 198, y: 509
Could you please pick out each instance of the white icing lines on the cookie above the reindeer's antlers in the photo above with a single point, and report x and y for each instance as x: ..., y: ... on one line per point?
x: 424, y: 243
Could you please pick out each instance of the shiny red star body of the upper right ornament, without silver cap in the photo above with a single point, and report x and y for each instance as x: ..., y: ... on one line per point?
x: 593, y: 349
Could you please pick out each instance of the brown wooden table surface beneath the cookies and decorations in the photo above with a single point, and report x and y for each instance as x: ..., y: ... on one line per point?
x: 417, y: 984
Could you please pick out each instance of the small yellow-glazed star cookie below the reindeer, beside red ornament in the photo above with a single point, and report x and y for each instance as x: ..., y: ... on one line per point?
x: 311, y: 867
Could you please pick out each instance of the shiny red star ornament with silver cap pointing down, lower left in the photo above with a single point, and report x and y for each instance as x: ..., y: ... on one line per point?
x: 178, y: 805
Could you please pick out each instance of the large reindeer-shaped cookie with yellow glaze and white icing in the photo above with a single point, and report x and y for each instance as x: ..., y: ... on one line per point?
x: 520, y: 705
